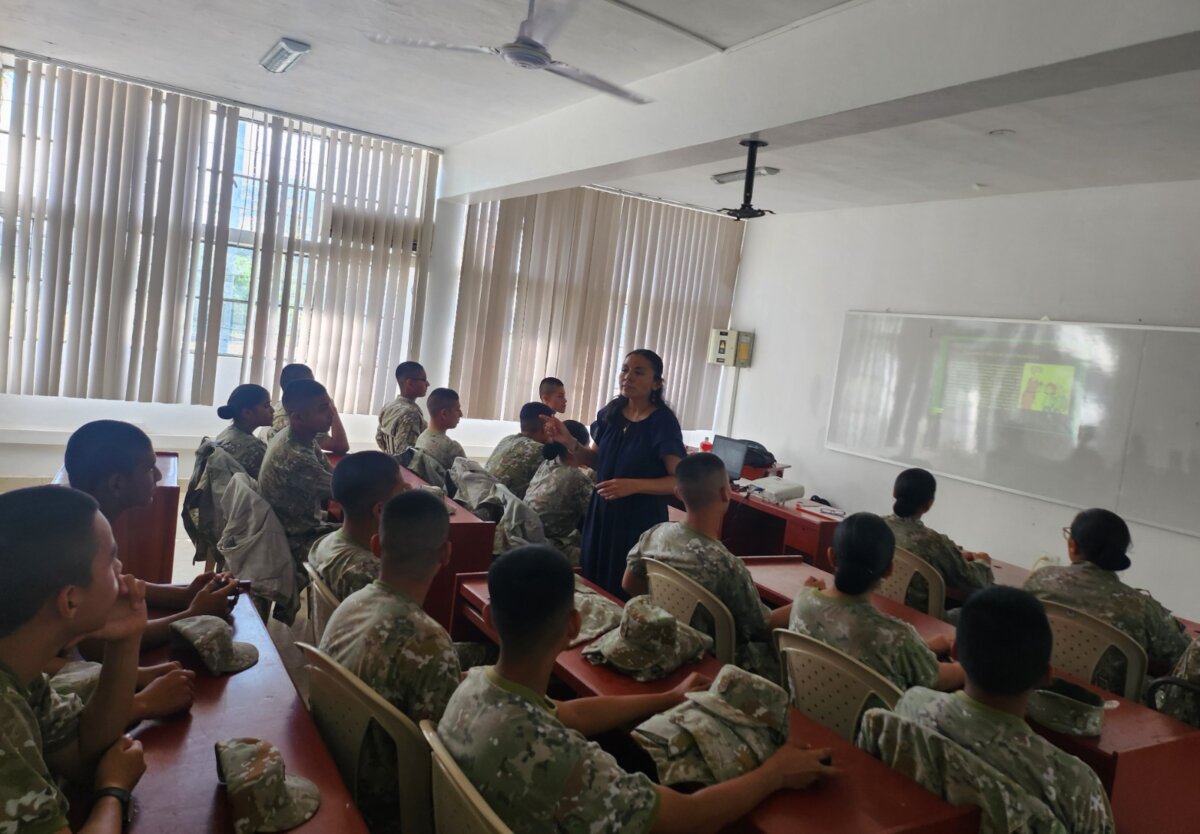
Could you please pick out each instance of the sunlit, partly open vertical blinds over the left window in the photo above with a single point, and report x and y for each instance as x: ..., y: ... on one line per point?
x: 146, y: 232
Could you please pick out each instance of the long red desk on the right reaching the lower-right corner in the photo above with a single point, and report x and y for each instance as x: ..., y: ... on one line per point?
x: 1149, y: 763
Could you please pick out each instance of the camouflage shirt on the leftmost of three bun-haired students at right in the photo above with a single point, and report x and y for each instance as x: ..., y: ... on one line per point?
x: 851, y: 625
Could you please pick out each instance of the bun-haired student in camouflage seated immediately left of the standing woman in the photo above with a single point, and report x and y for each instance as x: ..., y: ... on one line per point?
x: 561, y: 493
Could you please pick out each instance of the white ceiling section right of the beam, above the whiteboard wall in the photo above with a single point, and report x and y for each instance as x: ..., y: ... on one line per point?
x: 1144, y: 131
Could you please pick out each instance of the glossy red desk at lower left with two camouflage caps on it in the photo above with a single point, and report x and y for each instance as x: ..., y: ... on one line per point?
x: 179, y: 793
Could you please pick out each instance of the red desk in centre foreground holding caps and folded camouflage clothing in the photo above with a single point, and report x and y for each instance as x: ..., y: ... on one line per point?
x: 867, y: 797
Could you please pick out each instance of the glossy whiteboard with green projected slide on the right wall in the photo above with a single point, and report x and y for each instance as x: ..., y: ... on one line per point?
x: 1081, y: 415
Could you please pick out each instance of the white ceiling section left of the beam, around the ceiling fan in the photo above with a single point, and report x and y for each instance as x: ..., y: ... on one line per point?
x: 430, y: 98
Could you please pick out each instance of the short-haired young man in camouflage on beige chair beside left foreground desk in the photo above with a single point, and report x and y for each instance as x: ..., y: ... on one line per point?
x: 382, y: 635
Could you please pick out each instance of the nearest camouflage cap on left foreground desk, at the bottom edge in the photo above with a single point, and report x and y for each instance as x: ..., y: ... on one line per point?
x: 265, y: 799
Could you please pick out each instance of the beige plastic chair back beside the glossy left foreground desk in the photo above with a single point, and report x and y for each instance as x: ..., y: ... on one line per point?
x: 344, y: 710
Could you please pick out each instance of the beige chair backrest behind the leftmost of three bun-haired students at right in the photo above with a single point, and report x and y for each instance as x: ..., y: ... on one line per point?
x: 830, y: 687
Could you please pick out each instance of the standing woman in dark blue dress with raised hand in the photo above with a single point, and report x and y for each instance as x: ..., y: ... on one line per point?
x: 637, y: 446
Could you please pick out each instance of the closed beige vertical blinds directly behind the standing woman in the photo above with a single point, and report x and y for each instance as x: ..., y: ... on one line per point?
x: 567, y: 284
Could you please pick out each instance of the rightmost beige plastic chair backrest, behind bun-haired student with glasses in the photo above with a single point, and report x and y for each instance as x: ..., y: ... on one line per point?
x: 1082, y: 640
